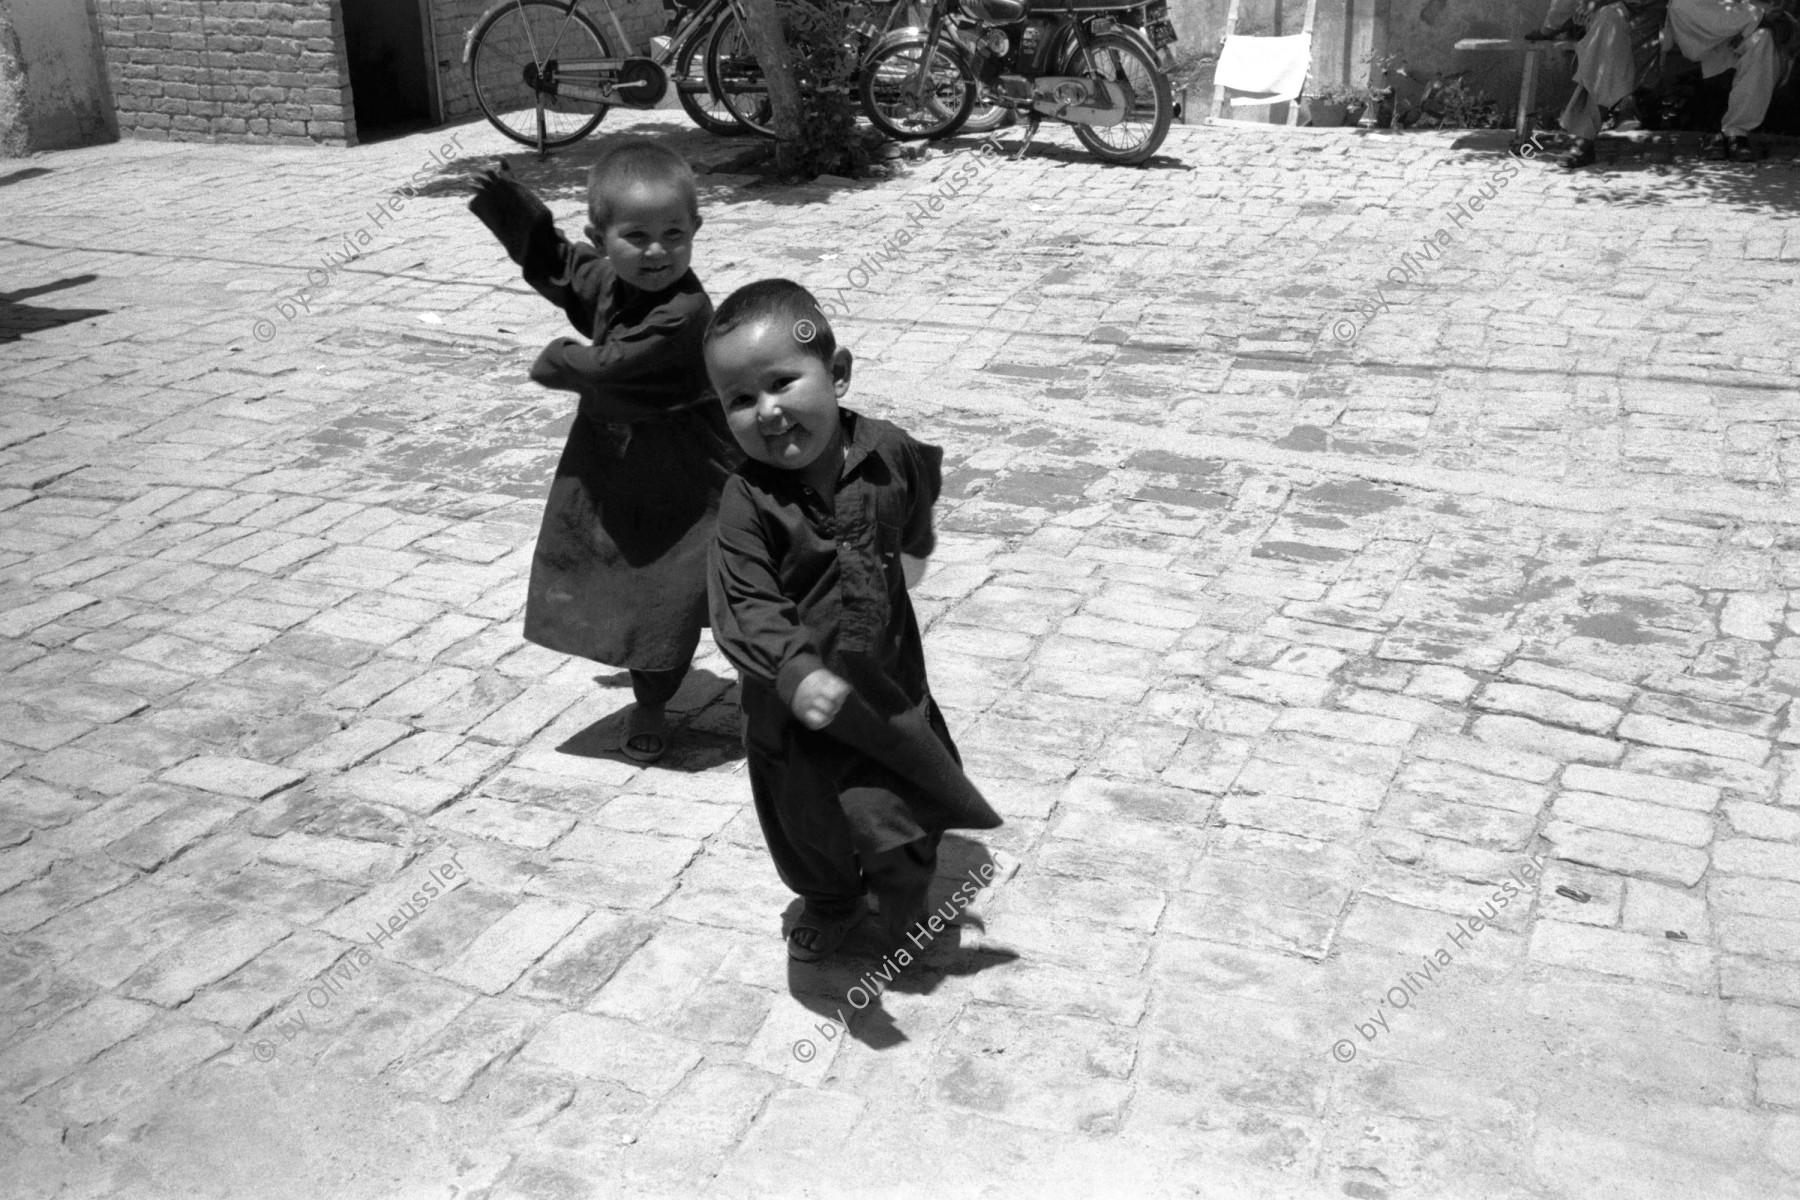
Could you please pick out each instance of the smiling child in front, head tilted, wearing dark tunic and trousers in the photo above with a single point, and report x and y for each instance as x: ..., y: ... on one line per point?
x: 820, y: 537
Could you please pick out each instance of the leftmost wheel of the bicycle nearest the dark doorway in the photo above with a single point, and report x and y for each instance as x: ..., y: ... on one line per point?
x: 539, y: 62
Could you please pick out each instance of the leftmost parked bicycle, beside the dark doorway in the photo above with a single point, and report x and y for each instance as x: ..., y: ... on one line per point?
x: 546, y: 76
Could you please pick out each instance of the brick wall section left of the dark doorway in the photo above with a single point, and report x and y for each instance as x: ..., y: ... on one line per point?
x: 228, y: 69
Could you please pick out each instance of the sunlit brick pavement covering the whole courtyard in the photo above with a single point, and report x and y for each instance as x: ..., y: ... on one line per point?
x: 1383, y: 665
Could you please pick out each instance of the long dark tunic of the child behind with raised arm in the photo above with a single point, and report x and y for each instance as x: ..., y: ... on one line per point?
x: 620, y: 569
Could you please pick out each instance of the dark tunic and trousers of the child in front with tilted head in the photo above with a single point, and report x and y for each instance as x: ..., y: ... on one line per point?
x: 802, y: 586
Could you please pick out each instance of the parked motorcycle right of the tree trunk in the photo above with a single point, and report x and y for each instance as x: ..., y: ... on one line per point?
x: 1095, y: 66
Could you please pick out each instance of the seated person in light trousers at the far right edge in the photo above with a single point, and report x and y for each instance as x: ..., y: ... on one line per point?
x: 1749, y: 39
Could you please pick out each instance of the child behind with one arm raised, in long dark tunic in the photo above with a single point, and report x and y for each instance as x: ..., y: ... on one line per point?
x: 620, y: 566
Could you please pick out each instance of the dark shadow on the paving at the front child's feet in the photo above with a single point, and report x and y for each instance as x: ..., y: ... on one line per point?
x: 849, y: 987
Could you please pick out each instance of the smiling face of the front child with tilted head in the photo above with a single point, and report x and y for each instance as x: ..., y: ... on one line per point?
x: 780, y: 399
